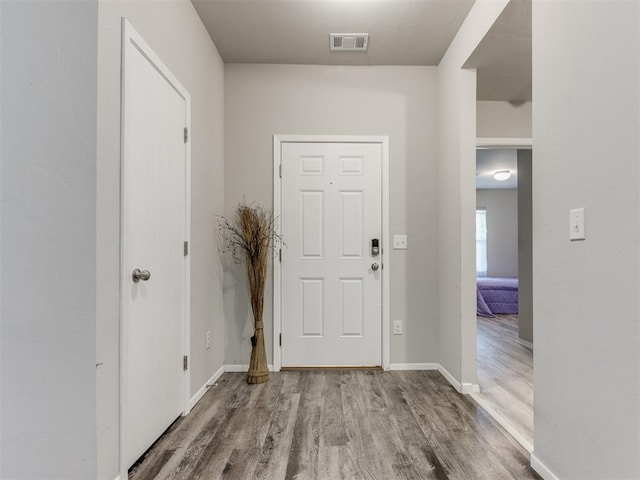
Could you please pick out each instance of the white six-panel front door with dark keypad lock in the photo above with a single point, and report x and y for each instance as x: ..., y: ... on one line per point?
x: 331, y: 278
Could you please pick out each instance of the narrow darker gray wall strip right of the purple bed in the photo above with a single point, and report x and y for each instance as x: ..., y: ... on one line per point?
x: 525, y: 247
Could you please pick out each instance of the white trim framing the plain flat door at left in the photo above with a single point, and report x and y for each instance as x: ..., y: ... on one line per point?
x: 131, y: 36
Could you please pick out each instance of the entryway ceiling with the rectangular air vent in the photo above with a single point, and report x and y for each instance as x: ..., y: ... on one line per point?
x: 402, y: 32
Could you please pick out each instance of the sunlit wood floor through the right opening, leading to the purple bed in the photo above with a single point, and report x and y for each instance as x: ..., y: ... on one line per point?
x: 505, y: 373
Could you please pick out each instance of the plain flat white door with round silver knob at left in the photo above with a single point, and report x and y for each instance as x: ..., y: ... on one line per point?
x: 154, y: 229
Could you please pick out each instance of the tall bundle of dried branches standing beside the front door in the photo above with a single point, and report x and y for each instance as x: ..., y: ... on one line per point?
x: 251, y: 236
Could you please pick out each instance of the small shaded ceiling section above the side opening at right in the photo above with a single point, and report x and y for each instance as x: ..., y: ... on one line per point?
x: 503, y: 58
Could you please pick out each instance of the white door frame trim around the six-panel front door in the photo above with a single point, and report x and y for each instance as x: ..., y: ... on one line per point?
x: 383, y: 140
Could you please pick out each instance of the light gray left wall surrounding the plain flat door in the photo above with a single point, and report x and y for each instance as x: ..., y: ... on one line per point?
x: 174, y: 31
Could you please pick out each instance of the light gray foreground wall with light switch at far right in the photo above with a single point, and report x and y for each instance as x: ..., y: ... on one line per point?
x: 586, y: 64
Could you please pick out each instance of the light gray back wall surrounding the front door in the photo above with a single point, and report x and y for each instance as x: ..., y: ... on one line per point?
x: 263, y: 100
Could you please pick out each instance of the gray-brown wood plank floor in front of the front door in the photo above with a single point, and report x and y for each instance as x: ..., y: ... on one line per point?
x: 336, y: 424
